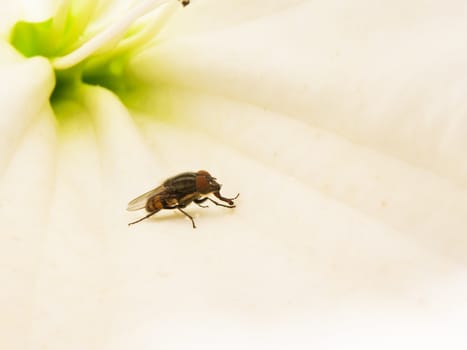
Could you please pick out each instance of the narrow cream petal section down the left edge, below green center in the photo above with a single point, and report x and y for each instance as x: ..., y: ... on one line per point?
x: 27, y: 145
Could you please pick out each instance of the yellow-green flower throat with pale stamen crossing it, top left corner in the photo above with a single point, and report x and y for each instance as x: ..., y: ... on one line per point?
x: 85, y: 47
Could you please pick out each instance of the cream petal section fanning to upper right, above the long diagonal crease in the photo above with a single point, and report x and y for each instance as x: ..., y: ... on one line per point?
x: 376, y: 79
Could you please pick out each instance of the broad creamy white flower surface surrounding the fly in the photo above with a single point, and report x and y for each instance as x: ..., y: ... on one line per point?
x: 343, y: 128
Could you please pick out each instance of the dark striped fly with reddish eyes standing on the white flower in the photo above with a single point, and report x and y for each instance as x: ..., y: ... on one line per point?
x: 179, y: 191
